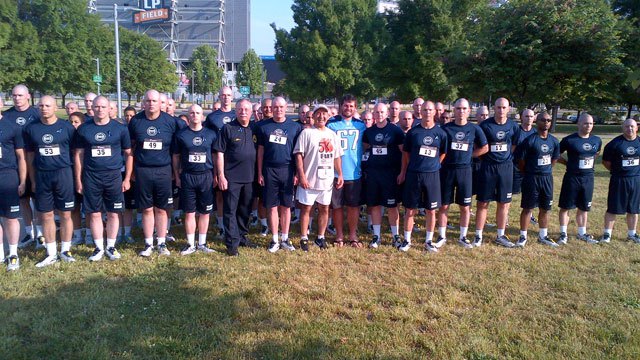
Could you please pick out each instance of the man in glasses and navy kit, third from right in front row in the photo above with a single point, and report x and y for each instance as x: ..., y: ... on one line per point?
x: 537, y: 155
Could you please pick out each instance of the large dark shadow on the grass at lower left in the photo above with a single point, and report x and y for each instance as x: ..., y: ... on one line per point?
x: 170, y: 312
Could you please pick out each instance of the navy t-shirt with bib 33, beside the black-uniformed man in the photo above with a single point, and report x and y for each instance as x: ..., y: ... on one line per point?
x: 195, y: 149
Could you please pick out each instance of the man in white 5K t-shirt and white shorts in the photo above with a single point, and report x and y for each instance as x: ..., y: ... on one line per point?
x: 317, y: 153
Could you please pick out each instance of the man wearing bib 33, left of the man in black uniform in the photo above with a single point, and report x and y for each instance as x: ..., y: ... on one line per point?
x: 193, y: 169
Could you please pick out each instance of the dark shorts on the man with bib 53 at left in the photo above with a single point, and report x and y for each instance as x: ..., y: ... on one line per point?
x: 54, y: 190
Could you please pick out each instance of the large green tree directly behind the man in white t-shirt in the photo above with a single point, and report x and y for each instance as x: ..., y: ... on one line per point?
x: 331, y: 50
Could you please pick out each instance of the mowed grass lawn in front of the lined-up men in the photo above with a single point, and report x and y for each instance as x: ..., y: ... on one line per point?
x: 579, y: 301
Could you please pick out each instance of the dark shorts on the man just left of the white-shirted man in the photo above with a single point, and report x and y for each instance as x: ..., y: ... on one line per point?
x: 278, y: 186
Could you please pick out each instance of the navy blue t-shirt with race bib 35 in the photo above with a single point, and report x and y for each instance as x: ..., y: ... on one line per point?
x: 102, y: 144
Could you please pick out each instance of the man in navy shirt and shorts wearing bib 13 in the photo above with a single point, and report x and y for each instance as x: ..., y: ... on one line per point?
x: 424, y: 148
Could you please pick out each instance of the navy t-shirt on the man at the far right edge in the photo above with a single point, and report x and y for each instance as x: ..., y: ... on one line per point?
x: 624, y: 156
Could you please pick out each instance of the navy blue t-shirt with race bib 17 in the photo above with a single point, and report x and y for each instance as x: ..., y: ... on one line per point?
x: 500, y: 139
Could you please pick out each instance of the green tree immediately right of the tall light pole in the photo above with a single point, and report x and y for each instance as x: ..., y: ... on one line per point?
x: 144, y: 65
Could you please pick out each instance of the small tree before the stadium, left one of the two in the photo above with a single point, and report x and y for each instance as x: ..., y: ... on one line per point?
x: 208, y: 76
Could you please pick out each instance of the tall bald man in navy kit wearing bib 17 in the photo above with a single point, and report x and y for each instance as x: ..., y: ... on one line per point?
x: 497, y: 172
